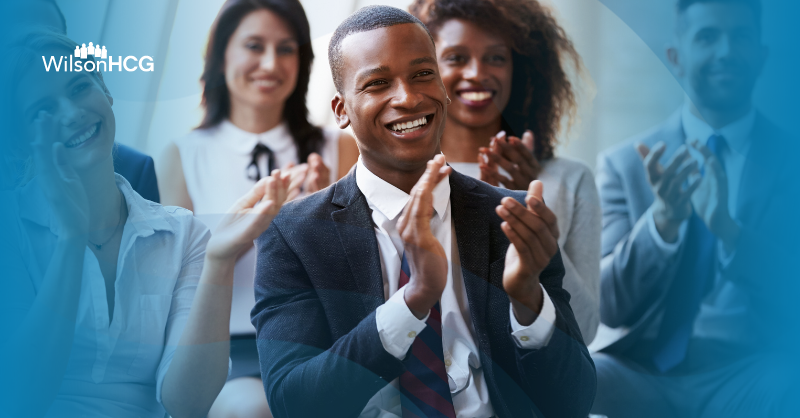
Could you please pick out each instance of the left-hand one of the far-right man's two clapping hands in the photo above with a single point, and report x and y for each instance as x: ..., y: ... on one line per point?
x: 672, y: 187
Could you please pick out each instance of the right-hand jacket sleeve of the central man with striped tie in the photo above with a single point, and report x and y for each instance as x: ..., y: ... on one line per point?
x: 559, y: 378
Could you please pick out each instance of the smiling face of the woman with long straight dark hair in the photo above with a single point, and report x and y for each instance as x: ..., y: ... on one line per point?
x: 261, y: 61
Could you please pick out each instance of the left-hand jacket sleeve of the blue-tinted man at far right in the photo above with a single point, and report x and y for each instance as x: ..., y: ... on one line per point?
x: 633, y: 269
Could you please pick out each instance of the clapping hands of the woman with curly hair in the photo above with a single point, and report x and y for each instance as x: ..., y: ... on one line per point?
x: 515, y: 156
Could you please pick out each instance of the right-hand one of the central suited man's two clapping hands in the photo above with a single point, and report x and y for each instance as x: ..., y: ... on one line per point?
x: 533, y: 233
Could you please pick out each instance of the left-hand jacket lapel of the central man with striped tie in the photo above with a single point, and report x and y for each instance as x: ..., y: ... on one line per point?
x: 357, y: 237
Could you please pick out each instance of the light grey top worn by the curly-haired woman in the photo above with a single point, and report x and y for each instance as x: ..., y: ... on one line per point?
x: 570, y: 192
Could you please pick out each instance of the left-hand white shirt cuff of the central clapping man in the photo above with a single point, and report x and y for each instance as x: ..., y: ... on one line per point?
x: 397, y: 325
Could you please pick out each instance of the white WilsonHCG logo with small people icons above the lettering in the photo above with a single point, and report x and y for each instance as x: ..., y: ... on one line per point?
x: 93, y: 58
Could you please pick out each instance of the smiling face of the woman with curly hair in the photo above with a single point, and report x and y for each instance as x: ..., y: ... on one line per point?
x: 477, y: 70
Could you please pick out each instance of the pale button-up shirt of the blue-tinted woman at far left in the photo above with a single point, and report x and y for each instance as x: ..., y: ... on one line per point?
x: 117, y: 368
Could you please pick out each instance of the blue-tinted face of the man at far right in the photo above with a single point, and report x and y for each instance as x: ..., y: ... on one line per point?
x: 719, y: 54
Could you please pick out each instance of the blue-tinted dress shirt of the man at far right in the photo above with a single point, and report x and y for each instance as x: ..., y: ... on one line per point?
x: 725, y: 312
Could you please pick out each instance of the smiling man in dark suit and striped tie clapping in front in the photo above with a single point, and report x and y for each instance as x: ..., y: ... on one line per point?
x: 407, y: 289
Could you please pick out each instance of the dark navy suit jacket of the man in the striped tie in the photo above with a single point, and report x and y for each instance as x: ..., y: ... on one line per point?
x: 318, y: 284
